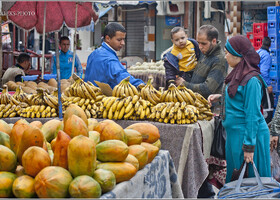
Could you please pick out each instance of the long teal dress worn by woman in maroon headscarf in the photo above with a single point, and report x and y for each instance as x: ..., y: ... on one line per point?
x: 245, y: 124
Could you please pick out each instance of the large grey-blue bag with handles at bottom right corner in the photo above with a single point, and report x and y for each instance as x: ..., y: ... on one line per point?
x: 255, y: 187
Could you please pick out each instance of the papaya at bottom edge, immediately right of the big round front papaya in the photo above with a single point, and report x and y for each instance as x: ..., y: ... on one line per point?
x: 84, y: 187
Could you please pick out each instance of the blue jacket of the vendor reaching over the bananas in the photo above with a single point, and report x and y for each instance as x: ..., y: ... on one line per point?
x: 103, y: 65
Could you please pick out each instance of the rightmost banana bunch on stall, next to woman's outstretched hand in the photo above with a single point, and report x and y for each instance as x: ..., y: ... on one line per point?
x: 204, y: 108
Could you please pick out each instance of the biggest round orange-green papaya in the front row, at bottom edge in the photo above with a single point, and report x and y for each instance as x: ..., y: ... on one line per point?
x: 52, y: 182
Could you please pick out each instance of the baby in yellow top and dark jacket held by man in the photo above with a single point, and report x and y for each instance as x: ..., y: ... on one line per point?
x: 181, y: 58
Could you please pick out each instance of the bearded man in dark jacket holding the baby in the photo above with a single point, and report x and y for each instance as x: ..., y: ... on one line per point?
x: 211, y: 69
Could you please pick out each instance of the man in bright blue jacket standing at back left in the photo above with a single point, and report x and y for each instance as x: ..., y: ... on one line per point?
x: 66, y: 60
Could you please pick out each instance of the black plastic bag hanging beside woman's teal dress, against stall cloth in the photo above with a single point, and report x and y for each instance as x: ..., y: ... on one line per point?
x: 218, y: 148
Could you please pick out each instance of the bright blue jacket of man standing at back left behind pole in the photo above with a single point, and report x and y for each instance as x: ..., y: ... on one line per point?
x: 66, y: 60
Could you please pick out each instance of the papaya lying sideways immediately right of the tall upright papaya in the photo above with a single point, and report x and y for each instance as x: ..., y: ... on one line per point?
x: 111, y: 151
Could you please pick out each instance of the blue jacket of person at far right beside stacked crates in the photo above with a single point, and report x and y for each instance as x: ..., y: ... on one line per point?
x: 265, y: 65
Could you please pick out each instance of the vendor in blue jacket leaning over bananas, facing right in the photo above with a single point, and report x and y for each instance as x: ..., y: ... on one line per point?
x: 103, y: 64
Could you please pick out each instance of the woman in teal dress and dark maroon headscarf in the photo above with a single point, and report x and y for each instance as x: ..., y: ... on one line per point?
x: 247, y: 132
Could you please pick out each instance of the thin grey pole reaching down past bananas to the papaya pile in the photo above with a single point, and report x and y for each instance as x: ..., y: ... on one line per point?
x: 58, y: 76
